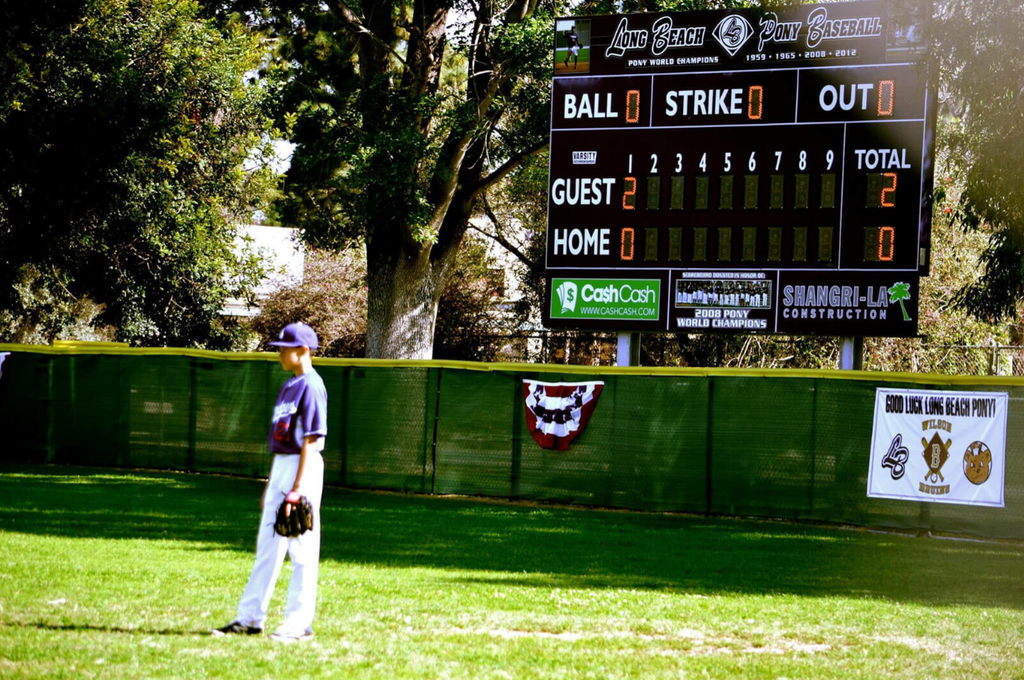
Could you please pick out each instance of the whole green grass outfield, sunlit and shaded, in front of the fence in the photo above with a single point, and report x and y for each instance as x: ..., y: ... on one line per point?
x: 117, y: 575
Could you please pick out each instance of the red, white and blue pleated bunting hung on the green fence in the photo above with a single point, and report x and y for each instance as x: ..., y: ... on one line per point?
x: 558, y: 413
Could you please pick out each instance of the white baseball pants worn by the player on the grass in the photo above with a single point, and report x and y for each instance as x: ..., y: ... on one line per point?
x: 271, y: 549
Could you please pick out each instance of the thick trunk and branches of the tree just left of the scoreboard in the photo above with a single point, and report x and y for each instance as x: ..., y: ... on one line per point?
x: 406, y: 277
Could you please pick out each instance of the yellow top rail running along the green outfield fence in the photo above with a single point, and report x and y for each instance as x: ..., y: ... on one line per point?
x: 79, y: 349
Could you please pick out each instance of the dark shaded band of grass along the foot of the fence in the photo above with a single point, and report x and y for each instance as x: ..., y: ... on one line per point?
x: 541, y: 547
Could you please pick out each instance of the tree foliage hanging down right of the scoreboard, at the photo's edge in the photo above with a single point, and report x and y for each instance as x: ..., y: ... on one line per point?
x: 978, y: 50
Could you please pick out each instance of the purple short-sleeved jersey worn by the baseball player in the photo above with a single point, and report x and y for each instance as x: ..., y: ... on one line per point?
x: 301, y: 412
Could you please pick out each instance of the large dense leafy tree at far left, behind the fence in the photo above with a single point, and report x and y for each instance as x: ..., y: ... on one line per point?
x: 126, y: 125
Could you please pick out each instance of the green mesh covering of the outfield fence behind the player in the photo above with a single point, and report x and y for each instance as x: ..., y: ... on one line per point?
x: 772, y: 445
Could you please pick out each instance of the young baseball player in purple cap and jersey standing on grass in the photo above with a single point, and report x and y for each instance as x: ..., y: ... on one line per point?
x: 296, y: 440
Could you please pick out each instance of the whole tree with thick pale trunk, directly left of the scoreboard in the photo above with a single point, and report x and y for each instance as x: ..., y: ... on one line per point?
x: 400, y: 133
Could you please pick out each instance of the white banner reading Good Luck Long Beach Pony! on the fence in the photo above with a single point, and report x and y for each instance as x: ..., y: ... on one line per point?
x: 940, y: 447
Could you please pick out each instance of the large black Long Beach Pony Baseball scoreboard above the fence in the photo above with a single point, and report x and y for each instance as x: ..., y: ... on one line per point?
x: 740, y: 172
